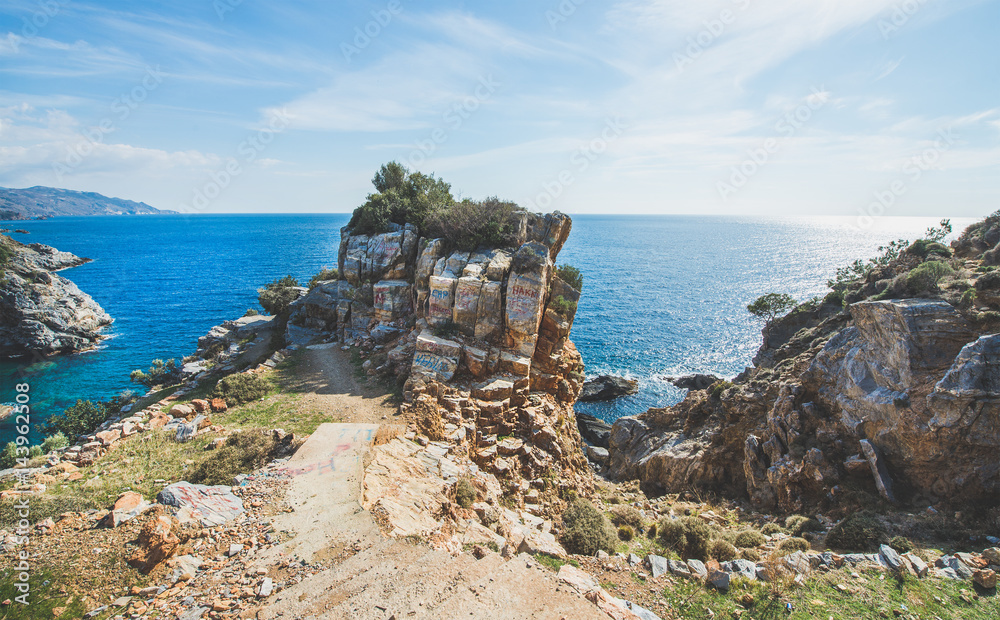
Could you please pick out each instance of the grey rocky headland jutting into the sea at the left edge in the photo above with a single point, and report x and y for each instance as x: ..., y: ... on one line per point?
x: 40, y: 311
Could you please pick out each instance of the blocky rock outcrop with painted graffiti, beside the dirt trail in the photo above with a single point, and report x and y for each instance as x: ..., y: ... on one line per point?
x: 477, y: 340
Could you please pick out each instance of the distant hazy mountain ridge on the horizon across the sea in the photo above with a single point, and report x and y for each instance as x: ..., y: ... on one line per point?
x: 39, y: 202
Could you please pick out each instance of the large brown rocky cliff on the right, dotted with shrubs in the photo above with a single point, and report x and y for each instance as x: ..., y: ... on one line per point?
x: 893, y: 394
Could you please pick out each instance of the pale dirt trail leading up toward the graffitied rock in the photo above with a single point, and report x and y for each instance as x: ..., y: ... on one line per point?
x: 381, y: 578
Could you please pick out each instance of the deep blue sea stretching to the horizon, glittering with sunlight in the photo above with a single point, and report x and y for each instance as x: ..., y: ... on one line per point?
x: 663, y: 295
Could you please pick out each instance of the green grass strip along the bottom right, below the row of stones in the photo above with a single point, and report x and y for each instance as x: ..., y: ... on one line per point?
x: 876, y: 596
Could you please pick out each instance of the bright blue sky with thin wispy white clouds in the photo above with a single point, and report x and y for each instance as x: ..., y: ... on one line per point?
x: 866, y: 108
